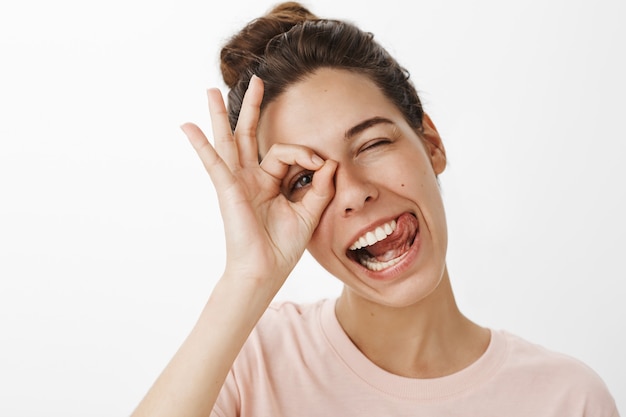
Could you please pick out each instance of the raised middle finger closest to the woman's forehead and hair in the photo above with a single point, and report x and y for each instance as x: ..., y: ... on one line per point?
x: 245, y: 132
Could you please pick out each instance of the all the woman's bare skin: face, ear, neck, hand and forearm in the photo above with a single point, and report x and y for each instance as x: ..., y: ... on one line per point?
x: 404, y: 319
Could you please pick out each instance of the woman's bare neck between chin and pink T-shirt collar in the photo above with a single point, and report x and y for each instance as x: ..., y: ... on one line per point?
x: 428, y: 339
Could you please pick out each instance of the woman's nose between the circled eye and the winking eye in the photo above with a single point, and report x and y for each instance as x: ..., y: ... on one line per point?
x: 353, y: 189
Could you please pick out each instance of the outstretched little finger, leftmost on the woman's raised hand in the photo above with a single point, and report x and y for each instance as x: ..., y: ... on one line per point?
x: 218, y: 170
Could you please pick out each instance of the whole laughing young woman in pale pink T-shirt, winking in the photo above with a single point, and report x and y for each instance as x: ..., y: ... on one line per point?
x: 348, y: 170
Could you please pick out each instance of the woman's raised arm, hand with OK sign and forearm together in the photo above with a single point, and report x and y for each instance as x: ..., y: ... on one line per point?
x: 266, y: 233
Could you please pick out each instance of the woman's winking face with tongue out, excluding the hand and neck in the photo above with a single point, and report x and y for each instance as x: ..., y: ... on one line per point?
x: 384, y: 232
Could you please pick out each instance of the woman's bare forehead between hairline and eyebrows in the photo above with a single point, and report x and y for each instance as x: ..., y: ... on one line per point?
x: 325, y: 105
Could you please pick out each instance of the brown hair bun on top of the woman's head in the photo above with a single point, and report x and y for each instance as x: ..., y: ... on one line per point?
x: 242, y: 51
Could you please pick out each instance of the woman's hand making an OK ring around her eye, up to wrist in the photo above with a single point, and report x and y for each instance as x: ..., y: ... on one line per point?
x: 266, y: 233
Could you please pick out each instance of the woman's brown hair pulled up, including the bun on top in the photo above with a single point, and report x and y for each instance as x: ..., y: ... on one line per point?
x: 289, y: 43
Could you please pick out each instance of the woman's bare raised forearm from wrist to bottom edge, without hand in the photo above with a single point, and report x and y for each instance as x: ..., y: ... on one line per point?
x: 191, y: 382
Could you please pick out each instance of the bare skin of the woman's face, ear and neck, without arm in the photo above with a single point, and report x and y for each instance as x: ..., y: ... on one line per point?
x: 383, y: 171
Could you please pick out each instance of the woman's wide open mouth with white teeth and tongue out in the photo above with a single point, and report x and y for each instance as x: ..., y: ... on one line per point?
x: 386, y: 245
